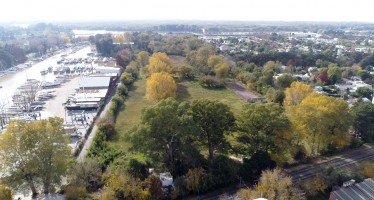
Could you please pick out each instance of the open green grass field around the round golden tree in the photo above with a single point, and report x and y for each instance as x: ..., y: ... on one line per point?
x: 186, y: 91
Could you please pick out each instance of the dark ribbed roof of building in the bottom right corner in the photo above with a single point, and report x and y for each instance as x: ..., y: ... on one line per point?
x: 359, y: 191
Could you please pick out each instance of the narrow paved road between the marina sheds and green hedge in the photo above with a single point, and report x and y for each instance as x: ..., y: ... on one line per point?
x: 91, y: 135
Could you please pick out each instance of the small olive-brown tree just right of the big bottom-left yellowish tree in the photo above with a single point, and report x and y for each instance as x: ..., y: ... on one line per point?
x: 86, y: 174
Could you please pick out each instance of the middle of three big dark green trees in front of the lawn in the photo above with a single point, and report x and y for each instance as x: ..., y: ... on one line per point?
x: 213, y: 120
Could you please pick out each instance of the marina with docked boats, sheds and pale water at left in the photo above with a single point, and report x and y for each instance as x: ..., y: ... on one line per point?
x: 47, y: 89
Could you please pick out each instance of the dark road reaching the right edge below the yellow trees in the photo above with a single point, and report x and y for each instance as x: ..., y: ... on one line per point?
x: 307, y: 171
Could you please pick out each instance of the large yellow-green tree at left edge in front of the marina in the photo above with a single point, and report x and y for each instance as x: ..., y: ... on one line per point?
x: 34, y: 152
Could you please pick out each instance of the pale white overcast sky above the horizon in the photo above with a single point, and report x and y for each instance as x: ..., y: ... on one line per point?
x: 246, y: 10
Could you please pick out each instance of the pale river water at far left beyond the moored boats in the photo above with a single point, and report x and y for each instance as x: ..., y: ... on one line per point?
x: 11, y: 82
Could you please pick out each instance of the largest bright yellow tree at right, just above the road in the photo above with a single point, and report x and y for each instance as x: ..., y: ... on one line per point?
x: 322, y: 121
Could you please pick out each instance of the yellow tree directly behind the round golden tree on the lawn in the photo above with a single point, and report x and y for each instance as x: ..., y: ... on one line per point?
x: 159, y: 62
